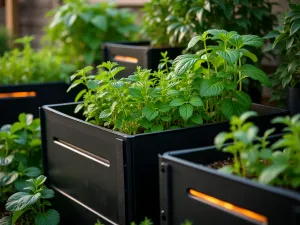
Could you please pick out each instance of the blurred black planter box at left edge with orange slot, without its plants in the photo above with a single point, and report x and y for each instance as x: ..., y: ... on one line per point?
x: 15, y: 99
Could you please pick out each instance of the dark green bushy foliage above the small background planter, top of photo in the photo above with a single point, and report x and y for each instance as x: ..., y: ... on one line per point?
x: 183, y: 19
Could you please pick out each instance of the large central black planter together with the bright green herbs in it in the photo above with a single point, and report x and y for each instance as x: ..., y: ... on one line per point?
x: 124, y: 124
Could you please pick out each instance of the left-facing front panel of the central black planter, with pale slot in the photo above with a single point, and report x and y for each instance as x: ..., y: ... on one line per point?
x: 74, y: 164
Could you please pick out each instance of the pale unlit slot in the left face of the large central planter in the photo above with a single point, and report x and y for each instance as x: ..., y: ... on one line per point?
x: 82, y: 152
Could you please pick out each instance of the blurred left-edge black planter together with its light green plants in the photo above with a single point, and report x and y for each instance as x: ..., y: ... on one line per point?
x: 30, y: 79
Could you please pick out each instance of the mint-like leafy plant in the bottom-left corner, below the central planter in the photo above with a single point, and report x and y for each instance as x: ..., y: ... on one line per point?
x: 31, y: 206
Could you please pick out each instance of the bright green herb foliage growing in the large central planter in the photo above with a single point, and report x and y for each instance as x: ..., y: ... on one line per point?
x: 198, y: 88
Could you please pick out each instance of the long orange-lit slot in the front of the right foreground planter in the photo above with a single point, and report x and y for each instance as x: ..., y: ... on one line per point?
x: 228, y: 207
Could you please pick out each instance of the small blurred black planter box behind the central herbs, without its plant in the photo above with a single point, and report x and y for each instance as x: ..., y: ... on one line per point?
x: 133, y: 54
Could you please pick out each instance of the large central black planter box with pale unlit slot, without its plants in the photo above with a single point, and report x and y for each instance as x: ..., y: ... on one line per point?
x: 111, y: 175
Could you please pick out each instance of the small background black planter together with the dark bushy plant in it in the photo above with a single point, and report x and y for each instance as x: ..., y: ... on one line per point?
x: 170, y: 24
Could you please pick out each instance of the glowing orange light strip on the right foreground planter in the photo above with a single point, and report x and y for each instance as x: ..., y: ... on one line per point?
x: 228, y: 206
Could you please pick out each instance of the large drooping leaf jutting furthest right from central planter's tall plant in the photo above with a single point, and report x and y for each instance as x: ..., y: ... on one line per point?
x: 256, y: 74
